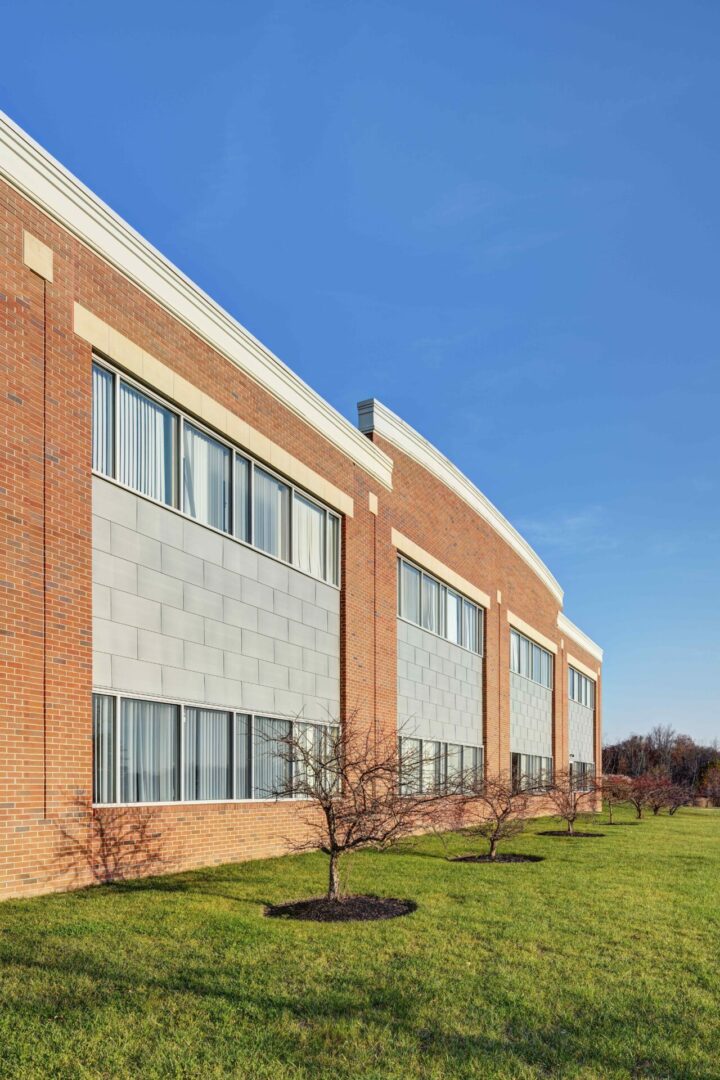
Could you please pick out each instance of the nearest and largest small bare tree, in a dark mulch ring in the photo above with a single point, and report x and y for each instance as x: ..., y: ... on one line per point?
x: 354, y: 792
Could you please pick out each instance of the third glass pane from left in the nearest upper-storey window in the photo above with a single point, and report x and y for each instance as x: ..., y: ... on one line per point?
x: 207, y: 479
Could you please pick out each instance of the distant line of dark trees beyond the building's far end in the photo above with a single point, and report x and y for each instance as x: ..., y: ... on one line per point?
x: 663, y: 751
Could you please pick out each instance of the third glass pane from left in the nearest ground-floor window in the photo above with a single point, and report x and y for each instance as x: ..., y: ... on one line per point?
x: 208, y: 758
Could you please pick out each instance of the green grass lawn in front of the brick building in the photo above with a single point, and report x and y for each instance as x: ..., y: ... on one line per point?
x: 604, y: 961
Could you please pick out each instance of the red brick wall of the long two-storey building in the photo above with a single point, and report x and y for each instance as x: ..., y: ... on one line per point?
x: 46, y: 618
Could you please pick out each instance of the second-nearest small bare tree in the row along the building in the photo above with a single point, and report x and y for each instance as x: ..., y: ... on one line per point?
x: 495, y: 809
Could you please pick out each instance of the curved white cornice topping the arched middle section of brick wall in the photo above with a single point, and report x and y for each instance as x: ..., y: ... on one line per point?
x: 374, y: 416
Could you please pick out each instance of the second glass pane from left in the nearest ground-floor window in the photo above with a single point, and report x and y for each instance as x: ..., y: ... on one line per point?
x: 150, y: 746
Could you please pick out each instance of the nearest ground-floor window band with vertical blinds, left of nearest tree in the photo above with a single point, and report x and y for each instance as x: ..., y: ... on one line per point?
x: 162, y: 752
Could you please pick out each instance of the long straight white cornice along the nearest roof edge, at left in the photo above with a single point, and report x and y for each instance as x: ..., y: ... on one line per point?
x: 43, y: 180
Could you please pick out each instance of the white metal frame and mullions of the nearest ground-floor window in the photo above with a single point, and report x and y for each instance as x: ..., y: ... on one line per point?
x: 117, y: 698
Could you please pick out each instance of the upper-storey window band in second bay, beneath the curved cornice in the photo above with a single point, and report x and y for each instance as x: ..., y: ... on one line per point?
x: 427, y: 602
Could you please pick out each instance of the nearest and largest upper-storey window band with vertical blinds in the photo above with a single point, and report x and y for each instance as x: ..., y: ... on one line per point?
x: 161, y: 454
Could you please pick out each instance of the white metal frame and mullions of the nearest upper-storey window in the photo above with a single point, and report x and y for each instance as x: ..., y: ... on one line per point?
x: 179, y: 477
